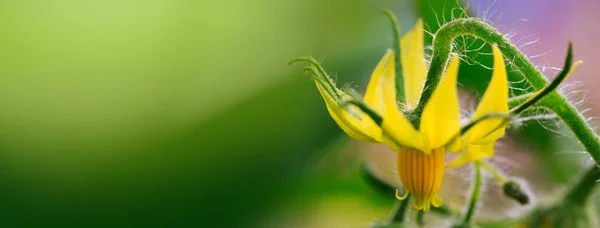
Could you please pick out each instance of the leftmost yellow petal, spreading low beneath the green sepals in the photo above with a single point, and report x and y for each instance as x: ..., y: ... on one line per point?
x: 357, y: 124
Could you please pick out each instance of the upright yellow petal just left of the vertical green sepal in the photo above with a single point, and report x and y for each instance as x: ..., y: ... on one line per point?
x: 383, y: 76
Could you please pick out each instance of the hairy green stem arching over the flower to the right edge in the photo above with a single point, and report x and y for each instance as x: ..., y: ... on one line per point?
x: 442, y: 47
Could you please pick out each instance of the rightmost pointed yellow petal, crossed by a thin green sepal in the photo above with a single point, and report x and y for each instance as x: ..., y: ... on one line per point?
x: 495, y: 100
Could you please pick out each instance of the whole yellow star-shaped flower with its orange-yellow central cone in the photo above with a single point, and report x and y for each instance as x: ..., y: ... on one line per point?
x: 421, y: 151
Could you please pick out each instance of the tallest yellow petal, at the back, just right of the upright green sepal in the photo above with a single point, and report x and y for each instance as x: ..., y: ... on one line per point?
x: 414, y: 67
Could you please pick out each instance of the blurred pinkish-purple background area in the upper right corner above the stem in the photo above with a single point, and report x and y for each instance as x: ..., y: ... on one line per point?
x: 544, y: 27
